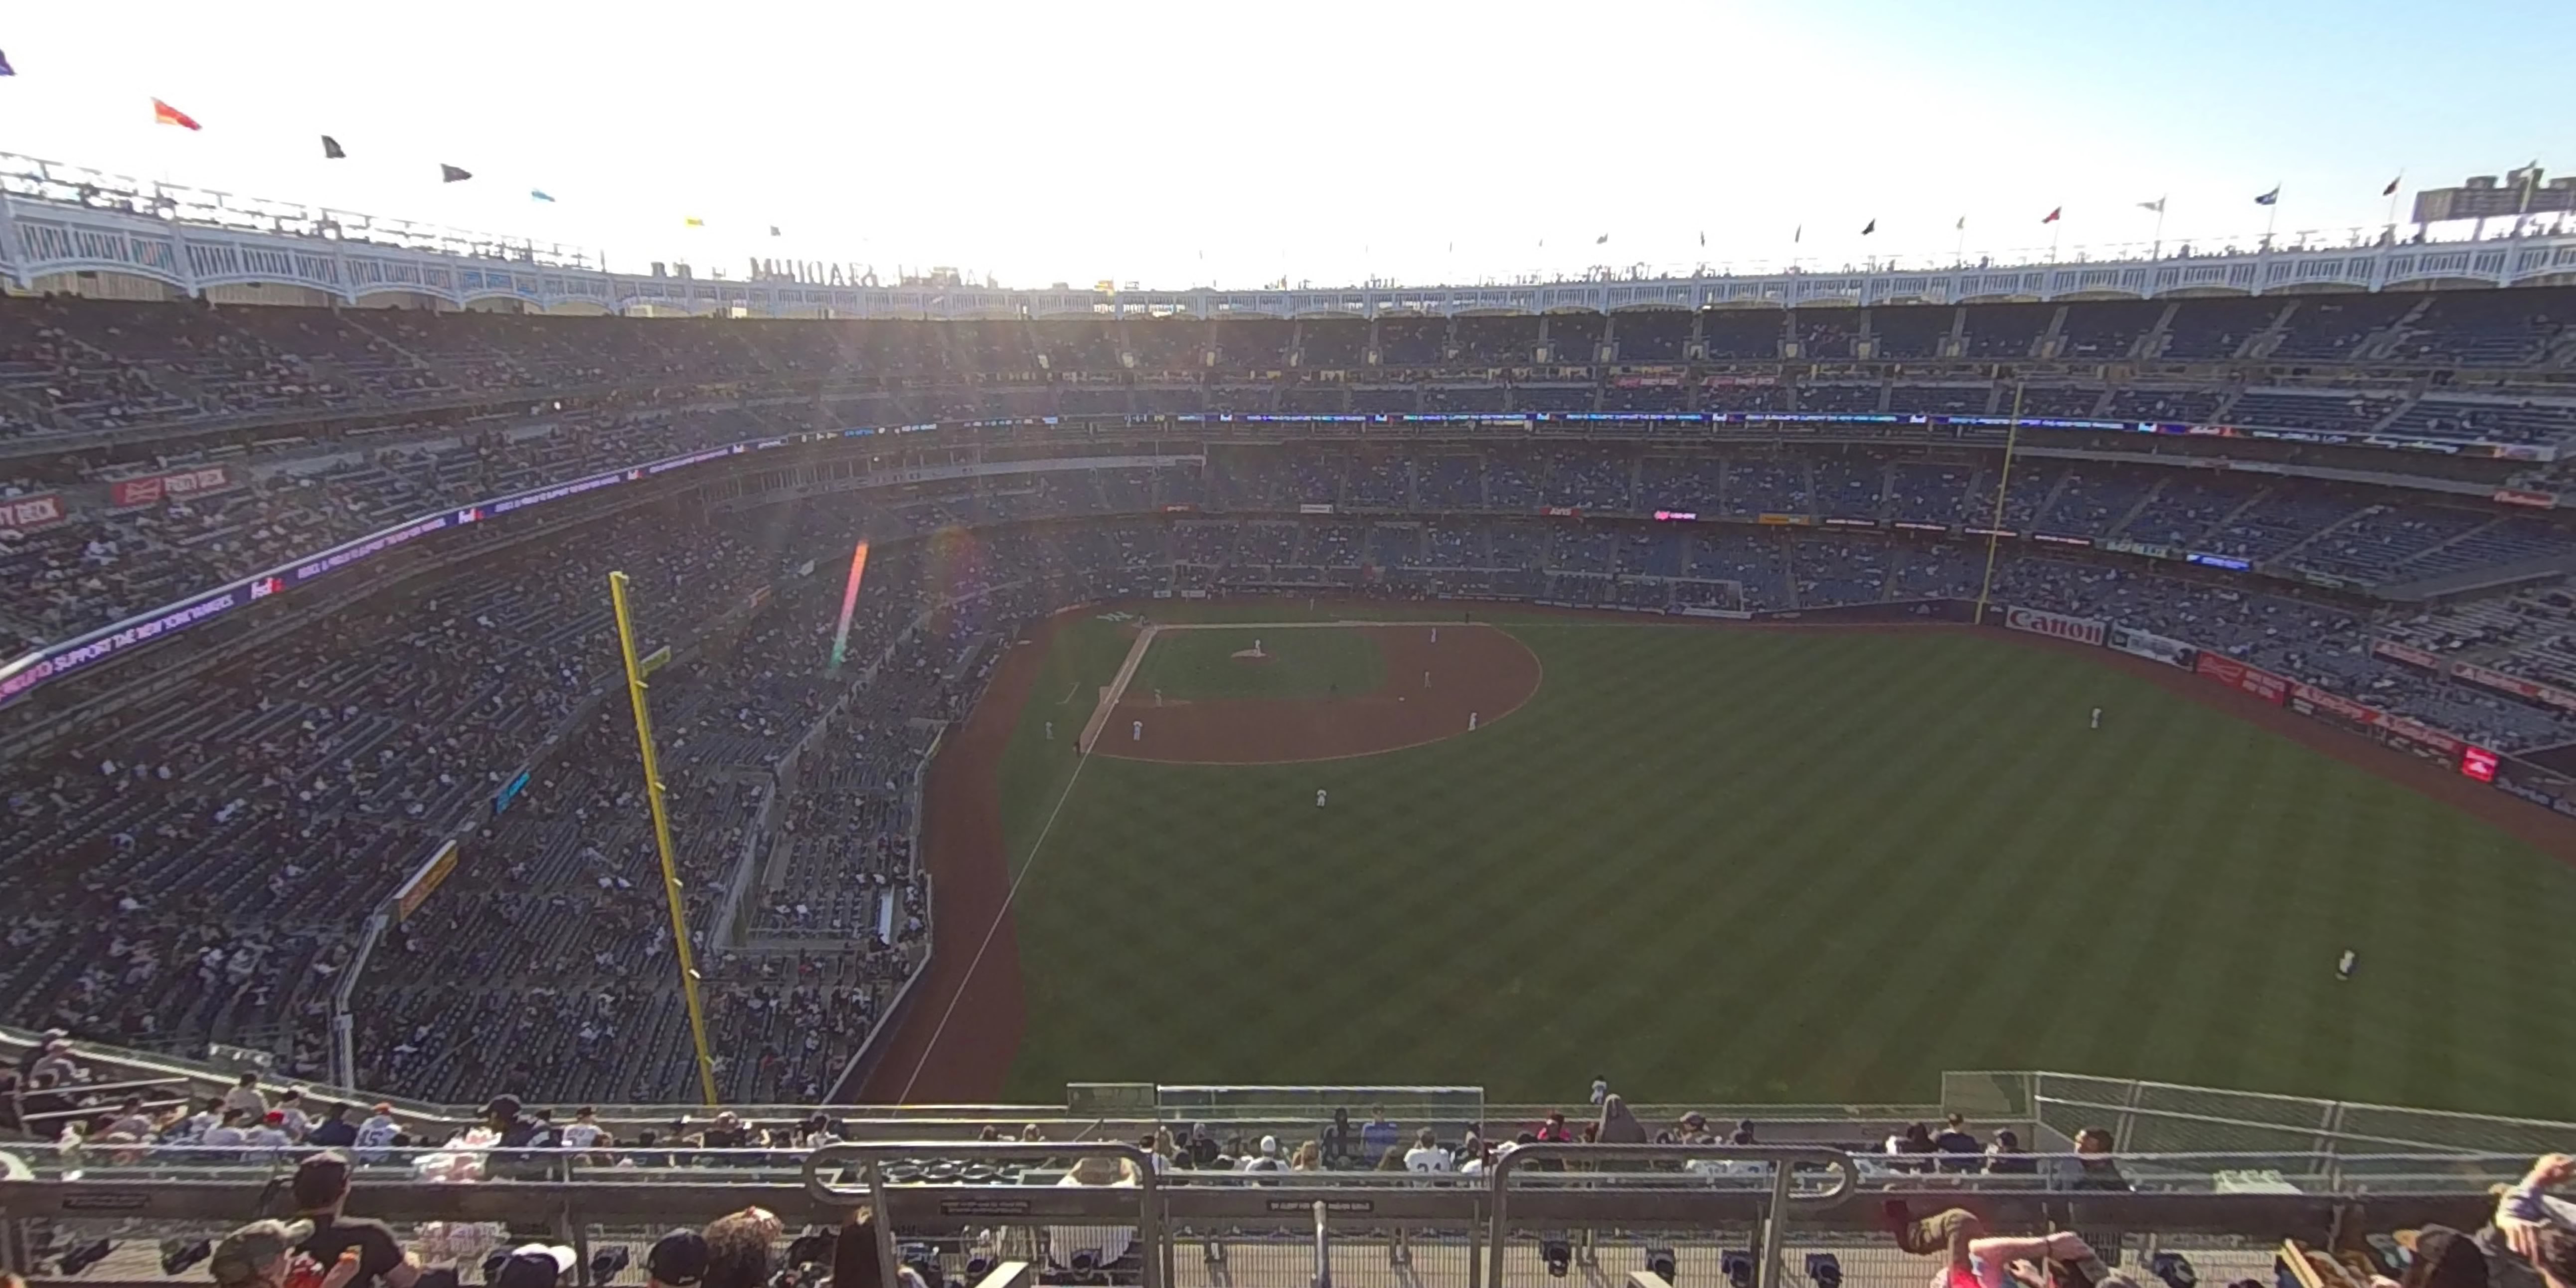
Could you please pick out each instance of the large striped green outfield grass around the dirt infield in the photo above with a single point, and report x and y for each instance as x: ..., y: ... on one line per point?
x: 1781, y: 867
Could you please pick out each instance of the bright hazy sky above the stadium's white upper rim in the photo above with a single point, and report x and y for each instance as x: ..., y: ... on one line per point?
x: 1323, y: 143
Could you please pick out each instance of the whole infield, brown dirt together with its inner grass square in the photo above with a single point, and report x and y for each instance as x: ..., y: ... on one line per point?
x: 1202, y: 694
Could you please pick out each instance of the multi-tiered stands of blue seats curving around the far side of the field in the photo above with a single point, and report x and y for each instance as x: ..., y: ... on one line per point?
x: 310, y: 594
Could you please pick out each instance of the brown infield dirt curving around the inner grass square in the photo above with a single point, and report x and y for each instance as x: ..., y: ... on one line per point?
x: 1475, y: 671
